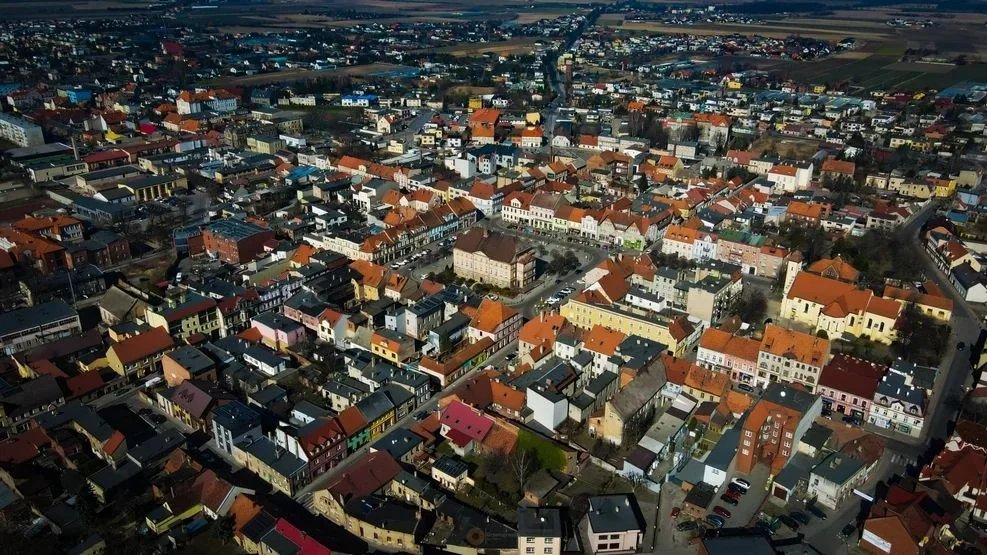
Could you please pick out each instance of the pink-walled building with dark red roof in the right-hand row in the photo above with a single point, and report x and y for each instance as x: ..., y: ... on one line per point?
x: 847, y: 385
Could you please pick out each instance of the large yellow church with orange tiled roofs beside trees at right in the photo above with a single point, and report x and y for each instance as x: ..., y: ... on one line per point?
x: 839, y: 308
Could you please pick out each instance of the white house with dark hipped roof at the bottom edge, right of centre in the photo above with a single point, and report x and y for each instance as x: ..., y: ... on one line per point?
x: 615, y: 524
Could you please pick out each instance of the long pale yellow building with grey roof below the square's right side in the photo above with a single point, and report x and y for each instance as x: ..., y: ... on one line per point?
x: 587, y: 310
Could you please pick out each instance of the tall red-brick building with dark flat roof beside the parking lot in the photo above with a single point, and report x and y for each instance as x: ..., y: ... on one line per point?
x: 775, y: 426
